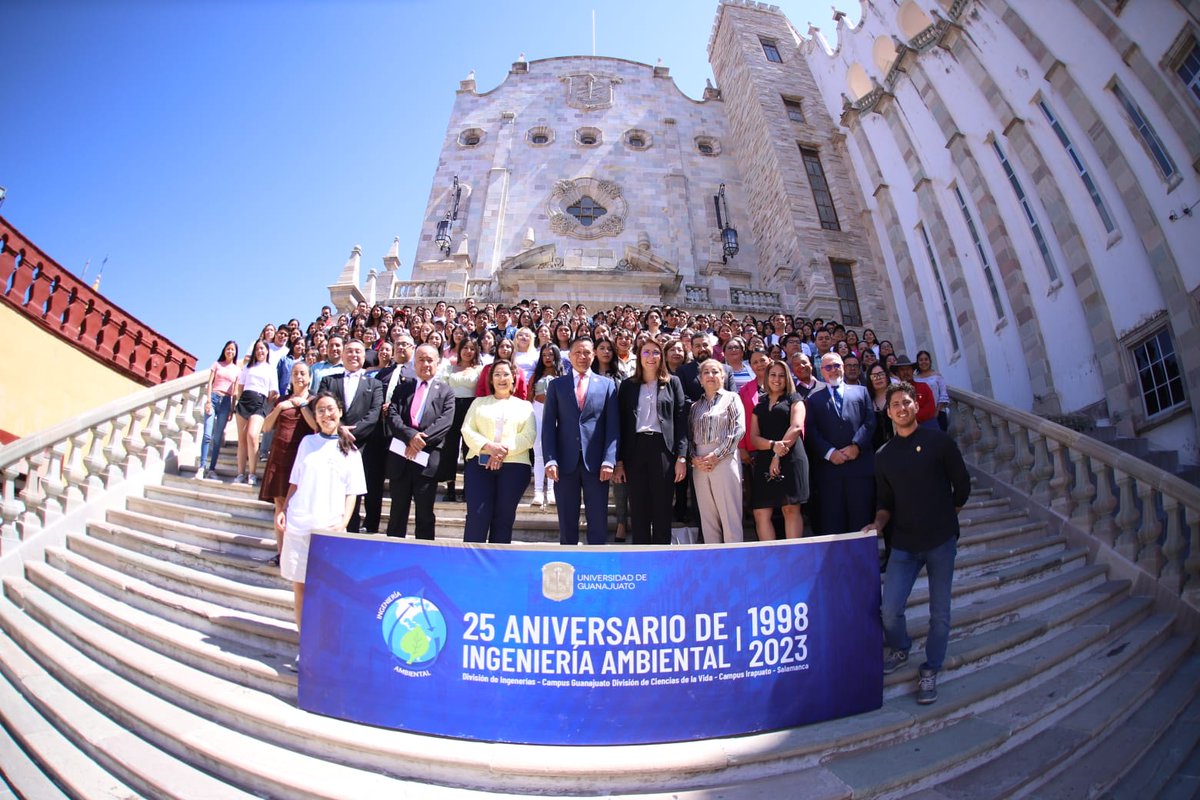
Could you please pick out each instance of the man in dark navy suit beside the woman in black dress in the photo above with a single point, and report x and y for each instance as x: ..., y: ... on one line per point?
x: 839, y: 428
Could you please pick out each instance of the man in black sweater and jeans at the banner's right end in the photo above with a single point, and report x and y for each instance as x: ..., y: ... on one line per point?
x: 921, y: 485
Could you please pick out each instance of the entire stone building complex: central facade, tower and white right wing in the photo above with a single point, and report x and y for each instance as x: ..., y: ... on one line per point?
x: 1009, y: 184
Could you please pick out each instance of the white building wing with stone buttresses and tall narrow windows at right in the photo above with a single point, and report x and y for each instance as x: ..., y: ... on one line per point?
x: 1031, y: 178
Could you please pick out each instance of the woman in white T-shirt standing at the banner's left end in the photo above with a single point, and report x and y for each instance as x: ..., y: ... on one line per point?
x: 327, y: 480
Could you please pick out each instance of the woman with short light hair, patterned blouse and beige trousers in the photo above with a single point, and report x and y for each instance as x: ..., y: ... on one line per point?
x: 717, y: 426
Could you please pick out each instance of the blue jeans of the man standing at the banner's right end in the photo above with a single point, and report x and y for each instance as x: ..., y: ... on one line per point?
x: 903, y: 570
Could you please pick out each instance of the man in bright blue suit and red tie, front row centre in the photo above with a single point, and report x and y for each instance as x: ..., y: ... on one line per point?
x: 580, y: 426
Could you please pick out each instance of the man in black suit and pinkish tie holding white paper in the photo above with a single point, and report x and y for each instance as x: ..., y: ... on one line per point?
x: 419, y: 417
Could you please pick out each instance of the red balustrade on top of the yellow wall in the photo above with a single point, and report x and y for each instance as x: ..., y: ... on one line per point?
x: 35, y: 286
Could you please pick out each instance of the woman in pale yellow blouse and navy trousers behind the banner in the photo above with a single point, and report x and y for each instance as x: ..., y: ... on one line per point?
x: 500, y: 432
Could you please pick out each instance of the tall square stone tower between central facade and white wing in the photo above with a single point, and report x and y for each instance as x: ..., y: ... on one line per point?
x: 806, y: 210
